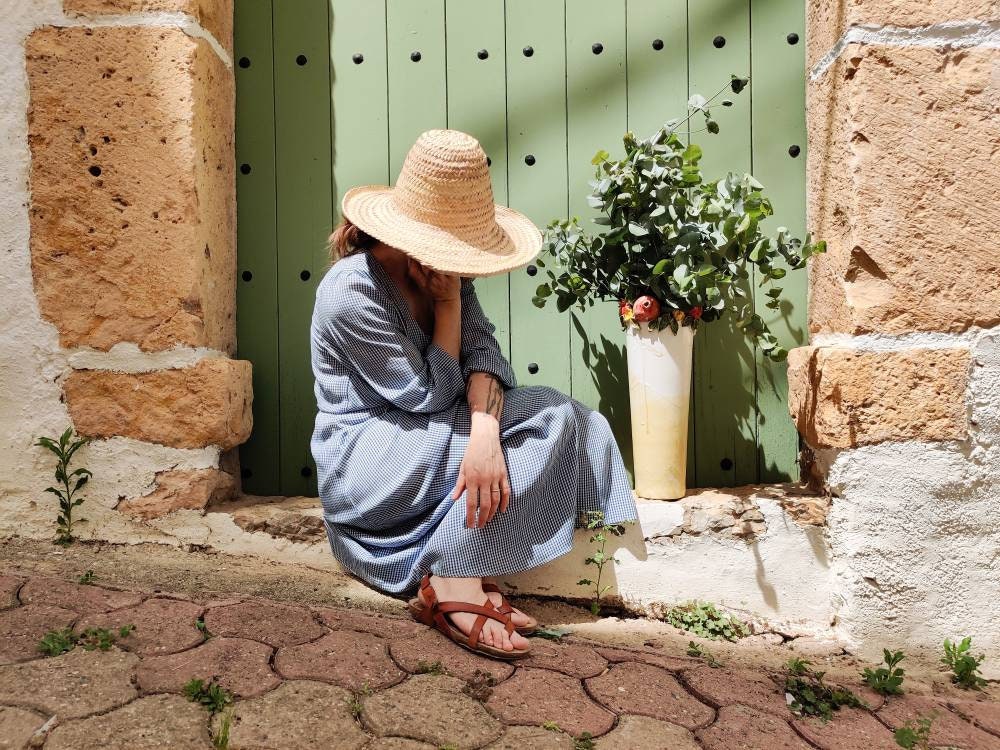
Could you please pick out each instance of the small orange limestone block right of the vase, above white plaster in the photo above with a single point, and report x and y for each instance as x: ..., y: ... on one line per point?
x: 843, y: 398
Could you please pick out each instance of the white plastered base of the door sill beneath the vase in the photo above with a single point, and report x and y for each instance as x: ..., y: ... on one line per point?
x: 783, y: 577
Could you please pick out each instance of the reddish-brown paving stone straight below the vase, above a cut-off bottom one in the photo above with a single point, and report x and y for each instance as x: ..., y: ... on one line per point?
x: 633, y: 688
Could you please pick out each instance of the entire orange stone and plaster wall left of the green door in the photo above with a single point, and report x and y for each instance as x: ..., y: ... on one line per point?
x: 117, y: 226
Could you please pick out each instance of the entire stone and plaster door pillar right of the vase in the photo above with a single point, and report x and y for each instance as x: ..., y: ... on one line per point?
x: 897, y: 393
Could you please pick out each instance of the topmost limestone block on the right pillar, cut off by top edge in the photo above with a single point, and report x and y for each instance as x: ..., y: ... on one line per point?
x: 827, y: 21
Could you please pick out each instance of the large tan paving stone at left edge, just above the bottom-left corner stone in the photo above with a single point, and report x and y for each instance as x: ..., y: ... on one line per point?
x: 72, y: 685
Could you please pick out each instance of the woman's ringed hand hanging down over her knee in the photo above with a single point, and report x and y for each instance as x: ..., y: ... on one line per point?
x: 483, y: 473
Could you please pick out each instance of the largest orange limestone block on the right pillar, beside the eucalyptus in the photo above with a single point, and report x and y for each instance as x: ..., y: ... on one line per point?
x: 902, y: 185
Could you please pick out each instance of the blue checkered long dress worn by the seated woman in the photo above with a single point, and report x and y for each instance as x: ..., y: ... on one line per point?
x: 392, y: 427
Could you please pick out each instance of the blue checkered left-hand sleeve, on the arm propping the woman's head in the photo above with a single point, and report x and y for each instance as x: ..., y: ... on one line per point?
x: 373, y: 344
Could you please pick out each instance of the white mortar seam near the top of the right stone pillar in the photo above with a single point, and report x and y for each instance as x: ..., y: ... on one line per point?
x: 954, y: 34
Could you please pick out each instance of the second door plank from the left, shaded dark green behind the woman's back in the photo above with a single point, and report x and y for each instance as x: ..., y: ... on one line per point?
x: 302, y: 152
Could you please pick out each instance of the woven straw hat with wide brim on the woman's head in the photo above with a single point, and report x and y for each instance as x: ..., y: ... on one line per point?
x: 441, y: 211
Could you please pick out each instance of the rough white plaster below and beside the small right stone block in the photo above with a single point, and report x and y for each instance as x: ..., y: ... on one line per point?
x: 915, y: 532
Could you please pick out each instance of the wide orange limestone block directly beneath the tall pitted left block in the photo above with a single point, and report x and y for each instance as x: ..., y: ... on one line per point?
x: 192, y: 407
